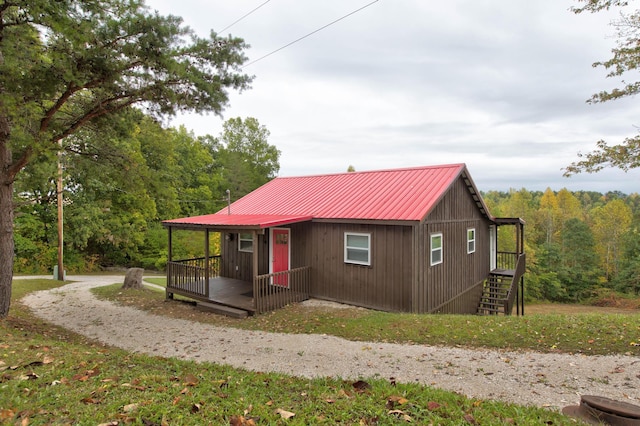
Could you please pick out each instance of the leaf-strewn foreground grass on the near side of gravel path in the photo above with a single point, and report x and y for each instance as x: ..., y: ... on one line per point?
x: 49, y: 376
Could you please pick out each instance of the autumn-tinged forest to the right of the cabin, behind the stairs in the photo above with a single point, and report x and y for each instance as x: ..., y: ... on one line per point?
x: 579, y: 244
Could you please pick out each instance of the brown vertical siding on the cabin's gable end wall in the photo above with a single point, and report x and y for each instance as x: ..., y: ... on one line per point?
x: 455, y: 284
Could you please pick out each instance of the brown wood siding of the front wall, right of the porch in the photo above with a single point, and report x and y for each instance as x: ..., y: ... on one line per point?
x: 384, y: 285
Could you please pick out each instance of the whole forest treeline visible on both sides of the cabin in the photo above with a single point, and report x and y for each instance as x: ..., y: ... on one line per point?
x: 577, y: 243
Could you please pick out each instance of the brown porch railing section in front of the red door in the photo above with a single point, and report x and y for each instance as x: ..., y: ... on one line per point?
x: 274, y: 291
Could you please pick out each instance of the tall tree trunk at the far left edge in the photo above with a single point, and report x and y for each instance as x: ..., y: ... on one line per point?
x: 6, y: 219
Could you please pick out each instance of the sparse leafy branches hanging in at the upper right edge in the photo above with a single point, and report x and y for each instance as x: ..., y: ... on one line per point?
x: 624, y: 62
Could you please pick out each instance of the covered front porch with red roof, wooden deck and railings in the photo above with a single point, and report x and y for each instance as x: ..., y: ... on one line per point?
x: 241, y: 278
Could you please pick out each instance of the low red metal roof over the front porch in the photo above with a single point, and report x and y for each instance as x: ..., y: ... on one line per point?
x: 234, y: 222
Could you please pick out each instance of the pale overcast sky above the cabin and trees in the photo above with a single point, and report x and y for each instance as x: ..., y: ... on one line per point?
x: 498, y: 85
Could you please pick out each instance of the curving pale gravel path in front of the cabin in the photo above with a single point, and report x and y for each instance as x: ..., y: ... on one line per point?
x: 528, y: 378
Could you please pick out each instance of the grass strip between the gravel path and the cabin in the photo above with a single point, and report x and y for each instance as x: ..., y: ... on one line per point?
x: 585, y: 333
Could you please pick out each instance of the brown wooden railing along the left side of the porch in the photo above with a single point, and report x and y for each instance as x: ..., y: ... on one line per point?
x: 188, y: 276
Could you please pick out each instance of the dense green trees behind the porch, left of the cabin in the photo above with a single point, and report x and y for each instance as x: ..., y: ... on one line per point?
x: 140, y: 174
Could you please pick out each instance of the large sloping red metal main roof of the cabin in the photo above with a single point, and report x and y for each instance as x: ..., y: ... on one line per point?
x: 397, y: 194
